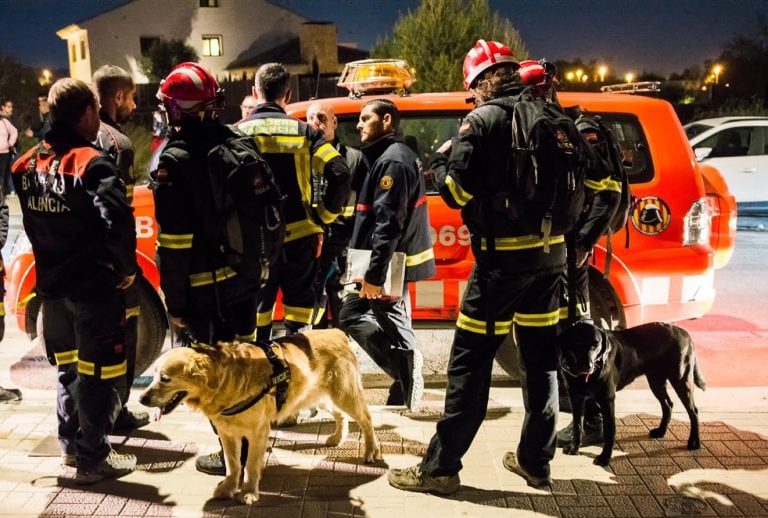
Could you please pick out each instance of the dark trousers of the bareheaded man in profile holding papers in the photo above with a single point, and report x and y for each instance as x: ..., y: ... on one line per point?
x: 382, y: 328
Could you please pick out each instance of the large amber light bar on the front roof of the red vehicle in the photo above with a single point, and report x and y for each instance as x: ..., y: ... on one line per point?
x: 368, y: 75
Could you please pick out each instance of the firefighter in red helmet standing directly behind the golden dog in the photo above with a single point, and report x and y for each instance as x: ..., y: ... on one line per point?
x: 206, y: 300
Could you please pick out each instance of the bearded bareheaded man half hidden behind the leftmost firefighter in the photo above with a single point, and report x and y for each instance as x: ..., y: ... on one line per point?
x: 117, y: 95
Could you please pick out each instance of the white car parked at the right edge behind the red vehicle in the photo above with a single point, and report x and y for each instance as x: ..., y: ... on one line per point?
x: 739, y: 150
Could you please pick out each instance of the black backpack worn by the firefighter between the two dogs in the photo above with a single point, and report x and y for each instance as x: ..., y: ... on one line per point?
x: 543, y: 190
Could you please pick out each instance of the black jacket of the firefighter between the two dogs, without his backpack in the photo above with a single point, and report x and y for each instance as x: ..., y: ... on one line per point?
x: 467, y: 180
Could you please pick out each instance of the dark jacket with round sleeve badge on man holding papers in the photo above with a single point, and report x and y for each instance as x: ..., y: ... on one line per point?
x: 391, y: 213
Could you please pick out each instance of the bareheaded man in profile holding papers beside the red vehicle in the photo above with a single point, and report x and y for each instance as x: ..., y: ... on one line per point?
x: 391, y: 216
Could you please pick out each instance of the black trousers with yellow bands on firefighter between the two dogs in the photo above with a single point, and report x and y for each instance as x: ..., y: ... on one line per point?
x: 531, y: 300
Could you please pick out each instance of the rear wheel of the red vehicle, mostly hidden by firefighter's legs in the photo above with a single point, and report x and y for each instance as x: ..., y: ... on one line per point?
x: 605, y: 309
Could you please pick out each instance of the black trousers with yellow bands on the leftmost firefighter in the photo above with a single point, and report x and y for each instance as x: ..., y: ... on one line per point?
x: 88, y: 342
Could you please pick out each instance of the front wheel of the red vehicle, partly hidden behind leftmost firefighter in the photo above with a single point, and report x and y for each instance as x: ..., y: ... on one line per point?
x: 152, y: 327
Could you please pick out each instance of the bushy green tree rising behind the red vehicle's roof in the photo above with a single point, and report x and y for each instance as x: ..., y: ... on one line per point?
x: 436, y: 36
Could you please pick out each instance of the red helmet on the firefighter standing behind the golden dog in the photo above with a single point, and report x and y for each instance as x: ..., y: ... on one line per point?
x: 190, y: 88
